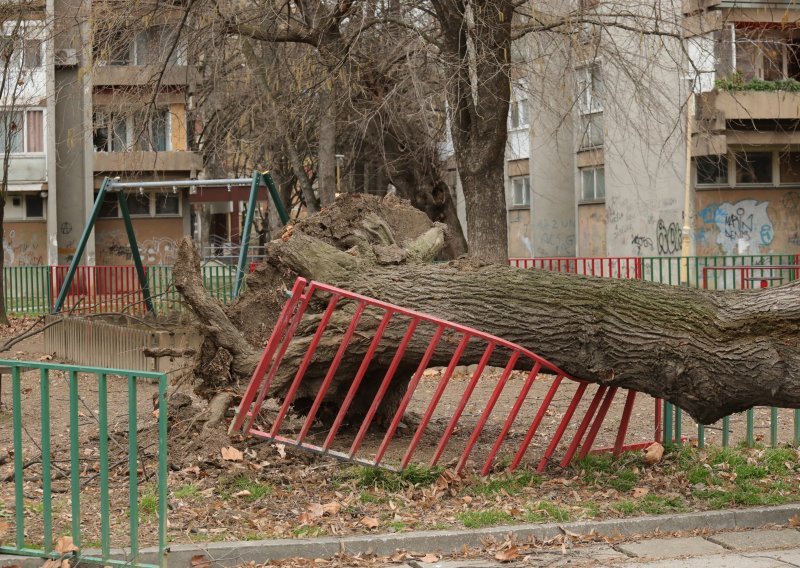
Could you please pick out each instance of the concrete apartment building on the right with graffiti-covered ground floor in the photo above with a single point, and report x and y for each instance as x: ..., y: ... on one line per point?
x: 603, y: 171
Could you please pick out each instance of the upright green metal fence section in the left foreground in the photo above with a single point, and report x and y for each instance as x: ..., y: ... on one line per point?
x: 57, y: 383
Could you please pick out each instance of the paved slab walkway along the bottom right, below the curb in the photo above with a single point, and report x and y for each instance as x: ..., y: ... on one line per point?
x: 762, y: 548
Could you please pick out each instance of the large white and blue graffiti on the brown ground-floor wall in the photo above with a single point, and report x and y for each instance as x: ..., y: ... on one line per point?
x: 743, y: 227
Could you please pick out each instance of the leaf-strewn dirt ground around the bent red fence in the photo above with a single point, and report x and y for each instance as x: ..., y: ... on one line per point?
x: 274, y: 491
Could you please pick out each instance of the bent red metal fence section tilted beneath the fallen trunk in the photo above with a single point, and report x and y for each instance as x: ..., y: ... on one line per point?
x: 497, y: 414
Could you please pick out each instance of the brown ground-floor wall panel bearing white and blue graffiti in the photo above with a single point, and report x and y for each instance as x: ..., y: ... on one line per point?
x: 748, y: 221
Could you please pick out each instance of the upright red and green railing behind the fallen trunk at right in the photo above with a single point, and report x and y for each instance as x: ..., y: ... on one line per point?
x: 710, y: 272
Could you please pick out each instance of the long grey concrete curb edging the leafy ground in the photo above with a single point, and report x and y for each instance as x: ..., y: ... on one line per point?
x: 230, y: 554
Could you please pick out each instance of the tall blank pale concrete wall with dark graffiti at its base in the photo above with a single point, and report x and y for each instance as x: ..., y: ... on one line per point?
x: 644, y: 149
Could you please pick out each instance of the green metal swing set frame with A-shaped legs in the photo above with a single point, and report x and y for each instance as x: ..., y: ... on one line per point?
x: 114, y: 185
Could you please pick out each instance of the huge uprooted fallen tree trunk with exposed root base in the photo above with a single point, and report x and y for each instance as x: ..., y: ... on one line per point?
x: 711, y: 353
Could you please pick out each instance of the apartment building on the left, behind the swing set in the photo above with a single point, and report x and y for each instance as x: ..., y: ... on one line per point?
x: 89, y: 108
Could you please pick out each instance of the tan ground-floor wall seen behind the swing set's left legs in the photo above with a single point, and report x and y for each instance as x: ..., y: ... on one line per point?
x: 157, y: 239
